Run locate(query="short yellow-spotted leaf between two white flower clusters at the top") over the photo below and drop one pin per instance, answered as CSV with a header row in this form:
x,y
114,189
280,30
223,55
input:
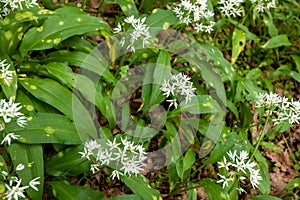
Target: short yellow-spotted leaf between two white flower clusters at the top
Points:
x,y
161,19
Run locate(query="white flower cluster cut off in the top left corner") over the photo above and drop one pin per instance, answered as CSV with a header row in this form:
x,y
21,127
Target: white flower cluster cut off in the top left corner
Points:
x,y
12,5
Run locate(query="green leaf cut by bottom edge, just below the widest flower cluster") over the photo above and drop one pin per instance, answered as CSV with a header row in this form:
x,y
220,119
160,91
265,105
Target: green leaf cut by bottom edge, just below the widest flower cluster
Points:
x,y
140,186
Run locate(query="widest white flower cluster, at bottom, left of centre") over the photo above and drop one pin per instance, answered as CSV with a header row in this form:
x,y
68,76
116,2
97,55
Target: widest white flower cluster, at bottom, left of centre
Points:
x,y
125,157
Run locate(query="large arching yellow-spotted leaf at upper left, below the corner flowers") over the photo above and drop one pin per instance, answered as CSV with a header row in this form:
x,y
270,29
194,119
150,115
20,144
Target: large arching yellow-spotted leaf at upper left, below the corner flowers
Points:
x,y
58,28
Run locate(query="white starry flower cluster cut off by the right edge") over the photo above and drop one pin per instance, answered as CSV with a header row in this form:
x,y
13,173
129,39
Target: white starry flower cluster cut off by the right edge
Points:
x,y
280,108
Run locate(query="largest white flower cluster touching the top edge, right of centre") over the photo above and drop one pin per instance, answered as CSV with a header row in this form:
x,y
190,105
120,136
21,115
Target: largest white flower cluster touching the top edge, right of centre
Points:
x,y
197,13
